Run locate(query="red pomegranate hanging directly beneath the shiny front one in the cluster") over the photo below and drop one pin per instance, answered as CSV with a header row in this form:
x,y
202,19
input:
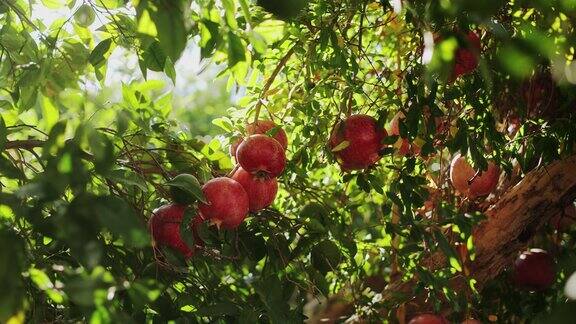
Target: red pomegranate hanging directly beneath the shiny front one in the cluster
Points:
x,y
261,190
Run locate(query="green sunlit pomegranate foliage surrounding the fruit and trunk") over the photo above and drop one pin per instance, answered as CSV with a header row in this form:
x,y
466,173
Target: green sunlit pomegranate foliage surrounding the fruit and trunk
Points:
x,y
80,174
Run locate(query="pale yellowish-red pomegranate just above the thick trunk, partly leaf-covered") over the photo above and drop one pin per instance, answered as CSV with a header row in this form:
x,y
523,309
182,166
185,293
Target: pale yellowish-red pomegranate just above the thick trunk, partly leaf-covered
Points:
x,y
461,172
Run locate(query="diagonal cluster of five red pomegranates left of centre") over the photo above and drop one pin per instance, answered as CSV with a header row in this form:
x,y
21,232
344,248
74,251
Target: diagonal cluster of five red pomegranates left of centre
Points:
x,y
228,200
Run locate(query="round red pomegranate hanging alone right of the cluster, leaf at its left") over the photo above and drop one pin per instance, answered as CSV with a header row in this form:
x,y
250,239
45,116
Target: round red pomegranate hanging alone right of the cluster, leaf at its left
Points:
x,y
364,139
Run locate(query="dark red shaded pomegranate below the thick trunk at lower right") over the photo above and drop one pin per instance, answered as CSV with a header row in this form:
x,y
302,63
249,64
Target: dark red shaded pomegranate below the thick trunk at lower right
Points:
x,y
534,270
